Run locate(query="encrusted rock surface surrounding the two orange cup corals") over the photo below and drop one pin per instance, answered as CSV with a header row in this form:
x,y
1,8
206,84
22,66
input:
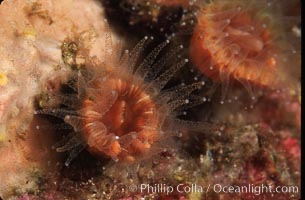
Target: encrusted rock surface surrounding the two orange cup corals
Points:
x,y
42,42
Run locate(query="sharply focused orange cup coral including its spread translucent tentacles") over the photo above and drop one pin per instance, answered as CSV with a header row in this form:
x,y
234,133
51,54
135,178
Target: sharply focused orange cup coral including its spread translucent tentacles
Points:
x,y
116,112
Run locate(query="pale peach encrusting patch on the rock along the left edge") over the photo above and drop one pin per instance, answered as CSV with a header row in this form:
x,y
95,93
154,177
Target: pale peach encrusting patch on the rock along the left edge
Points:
x,y
32,36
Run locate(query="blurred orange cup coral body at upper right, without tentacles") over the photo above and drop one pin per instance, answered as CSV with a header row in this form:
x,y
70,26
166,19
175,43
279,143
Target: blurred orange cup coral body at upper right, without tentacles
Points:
x,y
230,43
